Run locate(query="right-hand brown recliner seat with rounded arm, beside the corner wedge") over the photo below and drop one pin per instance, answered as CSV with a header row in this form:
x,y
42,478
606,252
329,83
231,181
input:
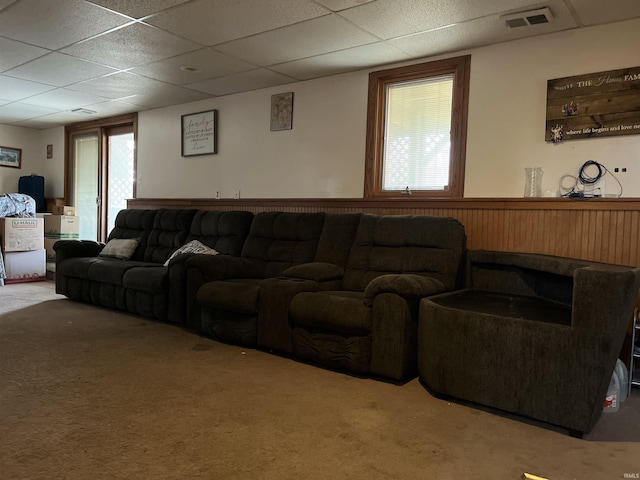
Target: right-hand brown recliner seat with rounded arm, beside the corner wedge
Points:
x,y
369,324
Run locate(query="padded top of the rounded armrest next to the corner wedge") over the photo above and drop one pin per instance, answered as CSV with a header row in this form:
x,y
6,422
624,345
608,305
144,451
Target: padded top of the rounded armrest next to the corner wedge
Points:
x,y
403,284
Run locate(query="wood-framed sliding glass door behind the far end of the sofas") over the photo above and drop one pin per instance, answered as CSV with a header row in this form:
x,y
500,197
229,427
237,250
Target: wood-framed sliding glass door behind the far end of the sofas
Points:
x,y
101,175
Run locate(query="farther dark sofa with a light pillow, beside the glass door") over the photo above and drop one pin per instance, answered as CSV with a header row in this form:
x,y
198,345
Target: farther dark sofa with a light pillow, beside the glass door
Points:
x,y
142,284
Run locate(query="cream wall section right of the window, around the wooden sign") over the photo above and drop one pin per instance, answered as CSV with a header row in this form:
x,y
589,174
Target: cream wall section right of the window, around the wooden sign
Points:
x,y
507,111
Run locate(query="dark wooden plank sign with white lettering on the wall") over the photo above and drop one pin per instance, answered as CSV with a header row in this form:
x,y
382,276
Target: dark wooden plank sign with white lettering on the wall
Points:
x,y
599,104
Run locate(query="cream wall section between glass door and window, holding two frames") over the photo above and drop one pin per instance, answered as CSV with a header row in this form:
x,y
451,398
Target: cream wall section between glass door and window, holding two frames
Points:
x,y
322,156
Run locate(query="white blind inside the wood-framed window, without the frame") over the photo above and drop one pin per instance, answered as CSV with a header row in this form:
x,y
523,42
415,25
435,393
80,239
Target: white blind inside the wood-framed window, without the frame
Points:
x,y
417,139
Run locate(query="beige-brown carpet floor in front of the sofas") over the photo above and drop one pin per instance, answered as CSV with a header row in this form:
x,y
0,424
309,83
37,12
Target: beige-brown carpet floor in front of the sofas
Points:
x,y
87,393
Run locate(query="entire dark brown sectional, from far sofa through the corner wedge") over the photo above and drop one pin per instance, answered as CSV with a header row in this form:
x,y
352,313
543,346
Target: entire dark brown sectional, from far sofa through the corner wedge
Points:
x,y
377,295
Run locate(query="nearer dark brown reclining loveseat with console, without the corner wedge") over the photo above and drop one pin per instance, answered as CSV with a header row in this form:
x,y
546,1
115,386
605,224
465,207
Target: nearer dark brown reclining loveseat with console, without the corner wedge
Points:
x,y
350,302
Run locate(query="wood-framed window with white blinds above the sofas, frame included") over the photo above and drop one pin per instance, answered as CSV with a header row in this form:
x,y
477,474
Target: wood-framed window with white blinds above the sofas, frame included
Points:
x,y
417,130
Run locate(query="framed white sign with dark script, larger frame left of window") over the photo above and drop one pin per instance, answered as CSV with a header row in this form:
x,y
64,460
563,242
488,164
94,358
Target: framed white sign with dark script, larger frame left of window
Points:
x,y
199,133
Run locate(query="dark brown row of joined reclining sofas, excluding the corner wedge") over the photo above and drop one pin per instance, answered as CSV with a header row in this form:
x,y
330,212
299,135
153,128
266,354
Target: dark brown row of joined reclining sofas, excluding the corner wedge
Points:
x,y
355,280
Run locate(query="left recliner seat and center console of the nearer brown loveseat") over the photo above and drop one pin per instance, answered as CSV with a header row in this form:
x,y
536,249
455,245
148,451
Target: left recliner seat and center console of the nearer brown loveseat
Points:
x,y
246,300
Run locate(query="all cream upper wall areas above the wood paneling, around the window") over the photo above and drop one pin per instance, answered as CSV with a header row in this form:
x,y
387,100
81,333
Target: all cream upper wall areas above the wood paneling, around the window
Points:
x,y
323,155
